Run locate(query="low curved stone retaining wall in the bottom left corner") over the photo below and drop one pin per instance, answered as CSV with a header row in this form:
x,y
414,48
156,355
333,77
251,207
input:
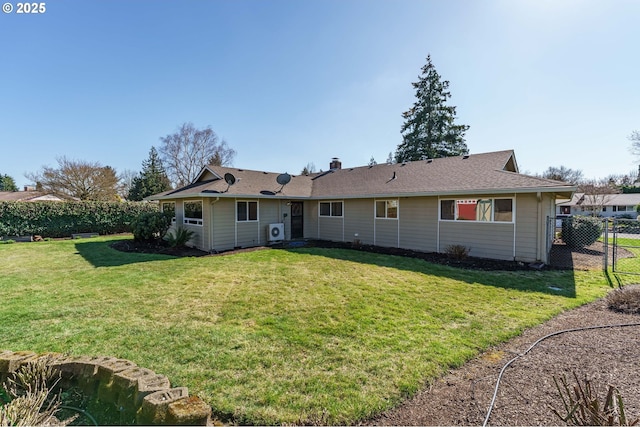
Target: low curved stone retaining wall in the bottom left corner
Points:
x,y
138,391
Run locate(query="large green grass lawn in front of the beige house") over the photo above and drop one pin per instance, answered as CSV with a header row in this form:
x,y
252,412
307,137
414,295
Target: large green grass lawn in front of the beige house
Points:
x,y
308,335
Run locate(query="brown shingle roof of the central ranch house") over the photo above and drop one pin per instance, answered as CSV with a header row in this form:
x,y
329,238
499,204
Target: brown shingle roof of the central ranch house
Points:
x,y
494,172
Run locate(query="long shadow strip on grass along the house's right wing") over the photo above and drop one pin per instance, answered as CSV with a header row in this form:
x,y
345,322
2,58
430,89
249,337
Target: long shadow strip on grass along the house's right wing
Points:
x,y
470,270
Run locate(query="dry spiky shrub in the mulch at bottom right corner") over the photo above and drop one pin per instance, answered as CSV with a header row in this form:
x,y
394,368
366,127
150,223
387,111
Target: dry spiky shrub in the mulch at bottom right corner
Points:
x,y
583,406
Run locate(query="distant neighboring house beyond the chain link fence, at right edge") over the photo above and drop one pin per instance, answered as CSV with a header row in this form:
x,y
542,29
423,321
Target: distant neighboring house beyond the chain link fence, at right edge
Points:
x,y
603,205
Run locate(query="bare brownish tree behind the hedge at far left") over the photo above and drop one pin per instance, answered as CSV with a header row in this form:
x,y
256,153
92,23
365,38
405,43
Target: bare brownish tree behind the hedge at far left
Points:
x,y
78,179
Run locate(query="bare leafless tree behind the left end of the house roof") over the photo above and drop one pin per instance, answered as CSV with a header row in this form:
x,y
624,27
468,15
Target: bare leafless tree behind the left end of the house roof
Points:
x,y
186,151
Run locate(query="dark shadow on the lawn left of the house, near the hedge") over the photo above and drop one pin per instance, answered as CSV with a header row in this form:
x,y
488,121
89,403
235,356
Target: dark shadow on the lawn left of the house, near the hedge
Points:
x,y
101,254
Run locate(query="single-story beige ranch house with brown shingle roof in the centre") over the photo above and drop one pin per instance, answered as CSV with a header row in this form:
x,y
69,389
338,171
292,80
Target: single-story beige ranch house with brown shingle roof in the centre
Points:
x,y
479,201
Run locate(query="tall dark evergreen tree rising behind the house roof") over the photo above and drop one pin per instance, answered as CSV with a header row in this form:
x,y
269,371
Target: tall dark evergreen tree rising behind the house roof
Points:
x,y
429,130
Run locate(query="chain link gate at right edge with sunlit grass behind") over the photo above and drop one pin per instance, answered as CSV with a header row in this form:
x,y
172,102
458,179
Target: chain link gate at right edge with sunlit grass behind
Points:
x,y
626,246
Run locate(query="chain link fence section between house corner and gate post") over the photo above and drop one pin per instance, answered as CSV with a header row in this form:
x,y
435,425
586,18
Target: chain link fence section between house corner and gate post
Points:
x,y
578,242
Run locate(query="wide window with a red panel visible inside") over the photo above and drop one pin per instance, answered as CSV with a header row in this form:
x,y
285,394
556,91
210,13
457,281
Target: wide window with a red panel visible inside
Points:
x,y
482,210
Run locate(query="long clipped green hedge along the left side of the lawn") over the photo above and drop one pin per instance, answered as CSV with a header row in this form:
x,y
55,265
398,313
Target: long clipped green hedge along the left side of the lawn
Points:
x,y
62,219
